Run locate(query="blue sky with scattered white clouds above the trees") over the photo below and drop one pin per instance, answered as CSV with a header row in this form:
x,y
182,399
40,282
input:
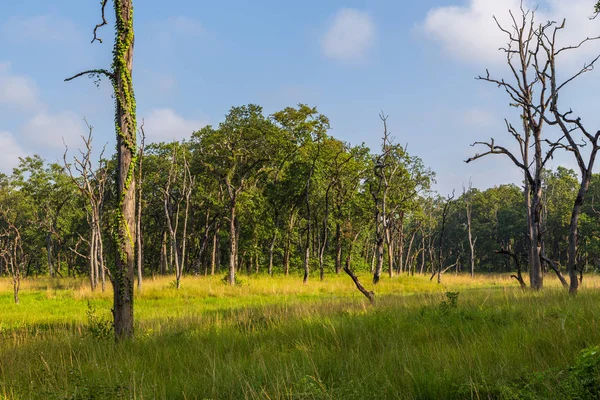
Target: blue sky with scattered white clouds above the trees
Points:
x,y
194,60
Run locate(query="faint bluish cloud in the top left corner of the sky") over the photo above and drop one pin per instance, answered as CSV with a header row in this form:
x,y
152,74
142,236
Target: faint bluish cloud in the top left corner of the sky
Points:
x,y
43,28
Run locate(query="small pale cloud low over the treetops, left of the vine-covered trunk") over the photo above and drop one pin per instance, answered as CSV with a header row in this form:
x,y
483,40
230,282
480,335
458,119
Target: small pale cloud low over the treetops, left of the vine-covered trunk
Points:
x,y
46,131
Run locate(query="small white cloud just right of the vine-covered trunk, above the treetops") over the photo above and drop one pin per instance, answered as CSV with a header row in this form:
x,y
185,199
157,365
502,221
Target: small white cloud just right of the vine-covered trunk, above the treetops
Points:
x,y
165,125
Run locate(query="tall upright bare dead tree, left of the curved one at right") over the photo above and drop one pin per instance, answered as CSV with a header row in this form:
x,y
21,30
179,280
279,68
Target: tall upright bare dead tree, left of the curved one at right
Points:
x,y
528,91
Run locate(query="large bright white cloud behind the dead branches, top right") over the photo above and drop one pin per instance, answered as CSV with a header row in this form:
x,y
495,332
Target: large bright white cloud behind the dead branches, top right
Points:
x,y
469,33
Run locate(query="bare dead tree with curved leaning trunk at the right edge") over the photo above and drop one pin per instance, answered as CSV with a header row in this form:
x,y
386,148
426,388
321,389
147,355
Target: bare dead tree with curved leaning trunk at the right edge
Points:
x,y
582,143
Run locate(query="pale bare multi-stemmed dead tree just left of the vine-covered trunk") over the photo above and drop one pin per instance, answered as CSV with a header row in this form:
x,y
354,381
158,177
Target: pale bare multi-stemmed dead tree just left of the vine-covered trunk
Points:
x,y
91,184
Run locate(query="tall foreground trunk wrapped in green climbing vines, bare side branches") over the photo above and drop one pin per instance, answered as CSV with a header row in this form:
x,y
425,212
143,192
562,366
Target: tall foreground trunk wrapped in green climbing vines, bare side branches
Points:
x,y
120,76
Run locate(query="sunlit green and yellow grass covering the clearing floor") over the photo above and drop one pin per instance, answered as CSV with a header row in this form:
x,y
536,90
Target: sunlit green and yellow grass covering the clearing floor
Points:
x,y
274,338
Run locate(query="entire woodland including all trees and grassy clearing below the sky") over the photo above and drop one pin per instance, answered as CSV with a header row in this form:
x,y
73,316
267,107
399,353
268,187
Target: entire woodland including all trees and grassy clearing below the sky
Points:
x,y
270,259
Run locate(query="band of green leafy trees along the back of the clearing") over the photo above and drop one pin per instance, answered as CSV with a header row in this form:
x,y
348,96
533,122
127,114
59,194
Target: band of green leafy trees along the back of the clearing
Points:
x,y
276,195
